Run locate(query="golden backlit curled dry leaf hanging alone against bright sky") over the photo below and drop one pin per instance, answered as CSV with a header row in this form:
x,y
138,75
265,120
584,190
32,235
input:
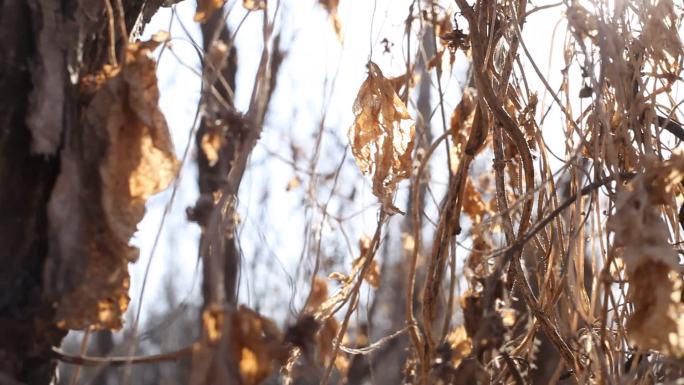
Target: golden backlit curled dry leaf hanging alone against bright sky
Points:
x,y
382,136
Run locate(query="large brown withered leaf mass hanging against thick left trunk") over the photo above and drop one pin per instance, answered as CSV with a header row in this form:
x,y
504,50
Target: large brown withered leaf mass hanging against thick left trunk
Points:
x,y
100,194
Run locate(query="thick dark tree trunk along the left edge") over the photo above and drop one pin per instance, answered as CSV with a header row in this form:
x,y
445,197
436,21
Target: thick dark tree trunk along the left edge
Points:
x,y
46,47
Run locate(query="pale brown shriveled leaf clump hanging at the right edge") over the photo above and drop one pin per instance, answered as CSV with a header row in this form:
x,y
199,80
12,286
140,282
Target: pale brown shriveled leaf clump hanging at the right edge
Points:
x,y
650,262
